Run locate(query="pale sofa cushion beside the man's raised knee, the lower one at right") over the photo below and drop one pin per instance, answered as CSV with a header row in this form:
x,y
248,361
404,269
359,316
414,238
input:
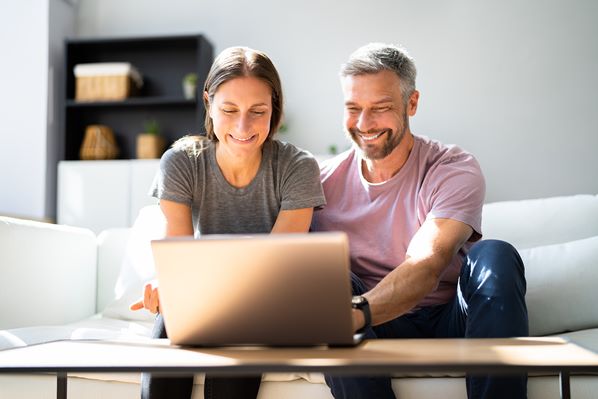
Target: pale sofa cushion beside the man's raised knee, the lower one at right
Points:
x,y
561,286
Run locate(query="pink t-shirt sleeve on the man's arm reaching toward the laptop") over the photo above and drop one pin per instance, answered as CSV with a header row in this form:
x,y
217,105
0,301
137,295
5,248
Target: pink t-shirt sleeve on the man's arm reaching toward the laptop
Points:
x,y
455,189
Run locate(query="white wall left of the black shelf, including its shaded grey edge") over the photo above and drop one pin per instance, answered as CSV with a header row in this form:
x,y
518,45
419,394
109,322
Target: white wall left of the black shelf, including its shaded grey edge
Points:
x,y
31,44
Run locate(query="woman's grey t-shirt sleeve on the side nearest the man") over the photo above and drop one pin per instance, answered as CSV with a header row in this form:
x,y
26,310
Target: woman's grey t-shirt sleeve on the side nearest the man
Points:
x,y
300,182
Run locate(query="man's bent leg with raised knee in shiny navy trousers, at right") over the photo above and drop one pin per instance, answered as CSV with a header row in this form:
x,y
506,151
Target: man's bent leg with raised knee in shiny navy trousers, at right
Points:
x,y
490,303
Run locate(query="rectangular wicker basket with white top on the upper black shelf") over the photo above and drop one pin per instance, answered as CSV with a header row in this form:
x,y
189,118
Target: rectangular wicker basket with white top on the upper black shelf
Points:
x,y
106,81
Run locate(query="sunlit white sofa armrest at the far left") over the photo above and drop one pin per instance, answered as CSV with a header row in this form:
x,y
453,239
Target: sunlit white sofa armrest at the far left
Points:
x,y
47,273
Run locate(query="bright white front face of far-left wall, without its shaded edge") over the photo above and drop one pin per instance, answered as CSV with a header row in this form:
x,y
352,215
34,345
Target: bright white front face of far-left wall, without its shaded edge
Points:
x,y
23,75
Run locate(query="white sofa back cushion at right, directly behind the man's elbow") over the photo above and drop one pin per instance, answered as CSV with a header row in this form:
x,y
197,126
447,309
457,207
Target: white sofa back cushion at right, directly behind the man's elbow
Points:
x,y
544,221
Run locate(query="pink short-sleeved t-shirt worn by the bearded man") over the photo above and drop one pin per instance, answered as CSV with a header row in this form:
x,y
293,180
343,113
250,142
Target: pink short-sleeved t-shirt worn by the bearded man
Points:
x,y
437,181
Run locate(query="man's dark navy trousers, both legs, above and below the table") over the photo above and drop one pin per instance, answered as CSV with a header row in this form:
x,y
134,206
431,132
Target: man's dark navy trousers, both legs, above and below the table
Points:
x,y
489,303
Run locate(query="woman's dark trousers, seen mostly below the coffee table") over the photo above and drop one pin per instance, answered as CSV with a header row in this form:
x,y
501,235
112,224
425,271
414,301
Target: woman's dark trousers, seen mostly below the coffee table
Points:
x,y
153,387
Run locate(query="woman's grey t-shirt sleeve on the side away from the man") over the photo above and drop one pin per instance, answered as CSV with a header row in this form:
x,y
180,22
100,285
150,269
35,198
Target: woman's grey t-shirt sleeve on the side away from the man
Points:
x,y
174,179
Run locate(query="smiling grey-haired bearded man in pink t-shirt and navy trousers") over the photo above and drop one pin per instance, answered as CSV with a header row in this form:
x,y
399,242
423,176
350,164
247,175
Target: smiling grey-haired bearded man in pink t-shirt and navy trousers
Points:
x,y
412,209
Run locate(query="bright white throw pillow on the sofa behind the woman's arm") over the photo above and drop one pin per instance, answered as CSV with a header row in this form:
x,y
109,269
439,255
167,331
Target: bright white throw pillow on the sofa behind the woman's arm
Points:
x,y
137,266
